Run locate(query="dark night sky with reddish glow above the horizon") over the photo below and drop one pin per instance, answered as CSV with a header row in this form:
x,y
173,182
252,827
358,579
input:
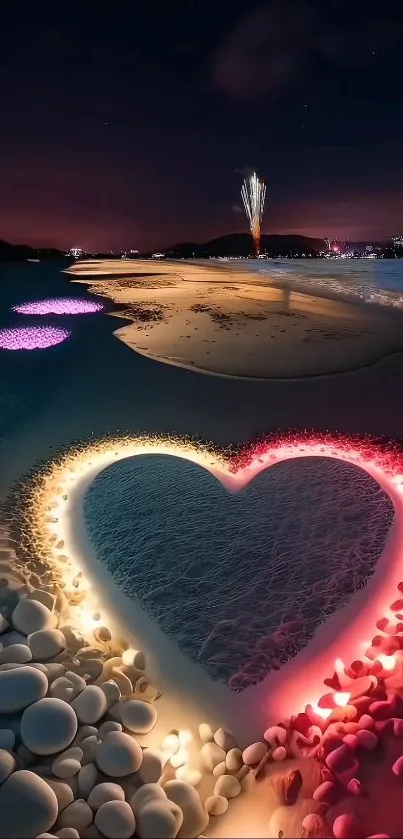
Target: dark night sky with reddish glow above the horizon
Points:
x,y
129,125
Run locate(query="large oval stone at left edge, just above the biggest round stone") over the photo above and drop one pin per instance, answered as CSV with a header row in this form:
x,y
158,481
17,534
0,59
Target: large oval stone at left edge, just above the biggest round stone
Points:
x,y
20,688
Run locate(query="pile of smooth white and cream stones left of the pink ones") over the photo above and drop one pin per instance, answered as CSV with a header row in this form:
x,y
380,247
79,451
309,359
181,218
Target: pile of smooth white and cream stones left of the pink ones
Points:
x,y
71,714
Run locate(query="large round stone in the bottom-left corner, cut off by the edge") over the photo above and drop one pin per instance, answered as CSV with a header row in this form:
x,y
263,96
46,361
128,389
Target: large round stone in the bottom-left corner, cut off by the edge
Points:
x,y
28,806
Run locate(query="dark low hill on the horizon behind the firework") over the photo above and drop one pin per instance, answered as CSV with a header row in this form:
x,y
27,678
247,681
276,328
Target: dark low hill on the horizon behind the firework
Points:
x,y
240,244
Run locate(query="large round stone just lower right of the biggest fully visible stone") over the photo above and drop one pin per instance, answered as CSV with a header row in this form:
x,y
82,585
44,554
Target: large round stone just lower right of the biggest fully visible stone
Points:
x,y
118,755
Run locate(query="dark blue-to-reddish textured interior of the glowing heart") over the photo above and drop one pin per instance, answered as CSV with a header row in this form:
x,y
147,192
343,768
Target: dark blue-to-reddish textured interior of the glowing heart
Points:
x,y
241,577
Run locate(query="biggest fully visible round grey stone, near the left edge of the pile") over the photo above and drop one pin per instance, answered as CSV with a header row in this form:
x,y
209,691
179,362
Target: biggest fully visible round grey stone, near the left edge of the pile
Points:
x,y
48,726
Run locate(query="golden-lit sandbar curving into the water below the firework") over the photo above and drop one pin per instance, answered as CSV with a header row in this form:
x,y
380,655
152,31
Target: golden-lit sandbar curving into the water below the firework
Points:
x,y
231,323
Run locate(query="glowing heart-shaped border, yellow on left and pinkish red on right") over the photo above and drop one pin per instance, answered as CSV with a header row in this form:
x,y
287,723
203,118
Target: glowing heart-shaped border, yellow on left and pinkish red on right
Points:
x,y
345,635
